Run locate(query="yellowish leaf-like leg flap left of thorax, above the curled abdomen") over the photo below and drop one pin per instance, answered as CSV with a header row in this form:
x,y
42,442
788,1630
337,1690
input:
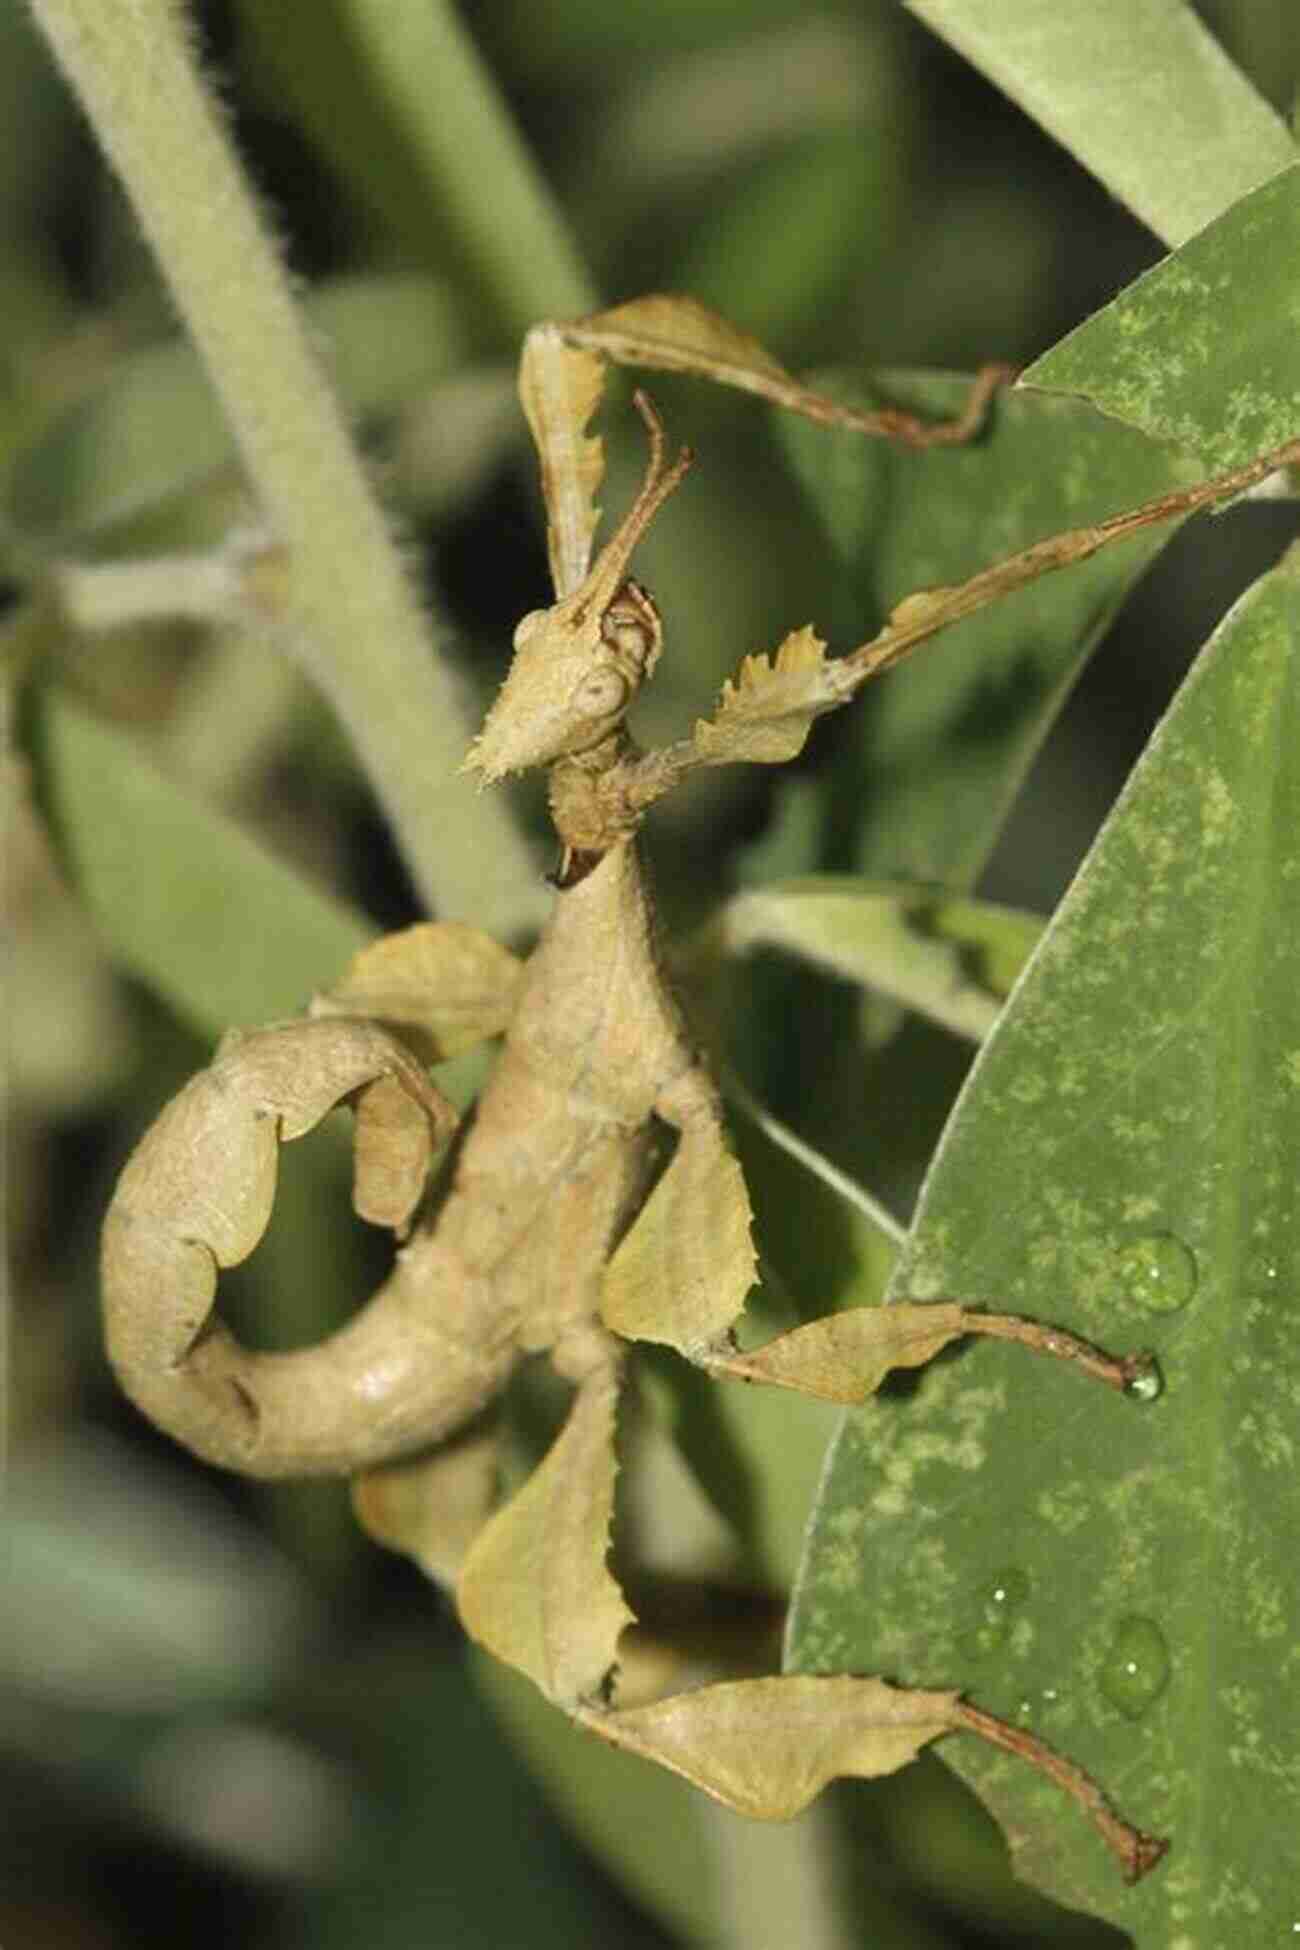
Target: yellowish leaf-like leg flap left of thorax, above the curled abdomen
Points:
x,y
443,986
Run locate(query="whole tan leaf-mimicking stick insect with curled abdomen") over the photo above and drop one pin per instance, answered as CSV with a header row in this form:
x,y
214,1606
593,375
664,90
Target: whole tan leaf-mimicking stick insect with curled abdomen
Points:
x,y
549,1239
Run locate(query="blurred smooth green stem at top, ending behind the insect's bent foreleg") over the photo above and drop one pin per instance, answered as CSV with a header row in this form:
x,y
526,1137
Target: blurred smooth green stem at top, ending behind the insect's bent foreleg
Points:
x,y
445,102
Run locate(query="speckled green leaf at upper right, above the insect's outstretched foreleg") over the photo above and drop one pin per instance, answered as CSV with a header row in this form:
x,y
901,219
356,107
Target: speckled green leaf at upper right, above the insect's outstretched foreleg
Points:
x,y
1204,350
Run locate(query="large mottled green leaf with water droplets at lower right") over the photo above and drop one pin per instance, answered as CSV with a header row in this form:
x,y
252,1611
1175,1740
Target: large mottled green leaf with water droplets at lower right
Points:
x,y
1124,1579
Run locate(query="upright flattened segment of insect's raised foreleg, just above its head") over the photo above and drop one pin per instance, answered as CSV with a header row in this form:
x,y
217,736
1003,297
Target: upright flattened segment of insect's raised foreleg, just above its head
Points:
x,y
560,389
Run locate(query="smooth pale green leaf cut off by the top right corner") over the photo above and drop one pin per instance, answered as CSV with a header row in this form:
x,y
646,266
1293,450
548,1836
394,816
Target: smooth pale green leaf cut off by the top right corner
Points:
x,y
1139,91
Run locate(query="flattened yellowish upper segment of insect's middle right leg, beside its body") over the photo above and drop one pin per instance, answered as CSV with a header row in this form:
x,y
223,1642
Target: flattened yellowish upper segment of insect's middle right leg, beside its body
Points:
x,y
687,1265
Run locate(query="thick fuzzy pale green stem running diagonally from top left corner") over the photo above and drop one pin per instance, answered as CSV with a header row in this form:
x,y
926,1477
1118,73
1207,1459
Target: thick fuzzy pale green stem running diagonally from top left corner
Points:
x,y
350,609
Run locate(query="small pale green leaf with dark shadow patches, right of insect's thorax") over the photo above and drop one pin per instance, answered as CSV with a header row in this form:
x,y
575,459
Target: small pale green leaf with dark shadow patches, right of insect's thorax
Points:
x,y
905,943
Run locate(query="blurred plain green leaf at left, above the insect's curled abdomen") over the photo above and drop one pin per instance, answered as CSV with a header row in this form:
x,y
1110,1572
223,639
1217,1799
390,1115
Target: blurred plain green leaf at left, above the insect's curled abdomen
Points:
x,y
182,896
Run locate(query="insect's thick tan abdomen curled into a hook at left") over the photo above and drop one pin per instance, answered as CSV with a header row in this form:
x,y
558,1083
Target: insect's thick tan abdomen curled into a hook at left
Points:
x,y
198,1194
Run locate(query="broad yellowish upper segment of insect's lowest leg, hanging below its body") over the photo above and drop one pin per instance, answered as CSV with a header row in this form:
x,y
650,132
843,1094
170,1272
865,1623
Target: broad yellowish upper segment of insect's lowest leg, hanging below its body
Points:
x,y
535,1588
